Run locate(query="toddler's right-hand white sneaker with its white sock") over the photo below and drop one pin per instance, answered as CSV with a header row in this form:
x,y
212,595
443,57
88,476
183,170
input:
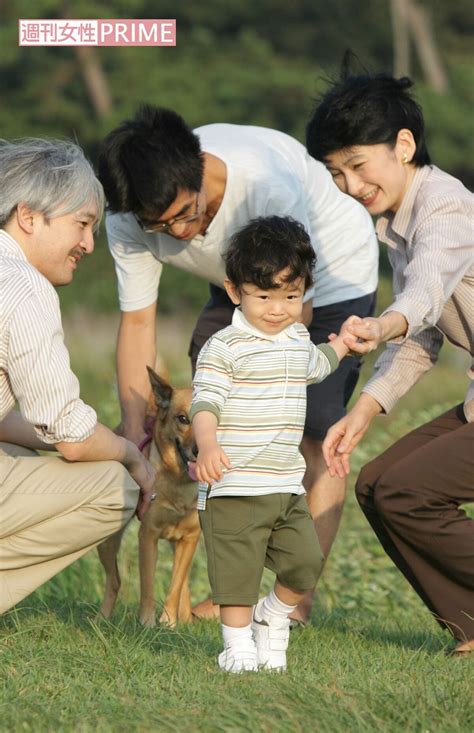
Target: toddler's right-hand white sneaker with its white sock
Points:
x,y
271,639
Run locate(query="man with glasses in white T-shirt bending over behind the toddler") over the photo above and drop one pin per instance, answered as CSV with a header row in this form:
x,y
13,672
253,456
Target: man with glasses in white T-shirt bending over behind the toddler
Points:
x,y
177,196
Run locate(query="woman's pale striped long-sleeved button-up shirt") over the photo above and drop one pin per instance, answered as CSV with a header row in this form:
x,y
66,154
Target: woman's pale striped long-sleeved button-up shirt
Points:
x,y
431,250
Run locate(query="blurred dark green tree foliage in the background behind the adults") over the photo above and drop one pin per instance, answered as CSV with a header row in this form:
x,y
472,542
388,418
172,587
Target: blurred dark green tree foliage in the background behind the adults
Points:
x,y
245,62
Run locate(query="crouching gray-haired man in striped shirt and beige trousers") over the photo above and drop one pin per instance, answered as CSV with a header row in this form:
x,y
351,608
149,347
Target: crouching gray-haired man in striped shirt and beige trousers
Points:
x,y
52,509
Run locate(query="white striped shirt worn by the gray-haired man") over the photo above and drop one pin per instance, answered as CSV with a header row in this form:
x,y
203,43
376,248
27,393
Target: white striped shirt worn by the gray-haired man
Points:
x,y
34,362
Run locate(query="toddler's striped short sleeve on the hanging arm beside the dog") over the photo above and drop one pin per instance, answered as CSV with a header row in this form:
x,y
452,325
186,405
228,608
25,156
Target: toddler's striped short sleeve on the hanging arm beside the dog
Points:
x,y
213,379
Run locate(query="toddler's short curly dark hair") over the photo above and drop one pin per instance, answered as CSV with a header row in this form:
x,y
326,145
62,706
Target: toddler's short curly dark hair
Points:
x,y
267,245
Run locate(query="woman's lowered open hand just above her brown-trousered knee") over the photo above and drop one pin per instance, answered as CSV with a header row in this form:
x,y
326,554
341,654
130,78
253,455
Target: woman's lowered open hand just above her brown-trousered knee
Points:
x,y
344,435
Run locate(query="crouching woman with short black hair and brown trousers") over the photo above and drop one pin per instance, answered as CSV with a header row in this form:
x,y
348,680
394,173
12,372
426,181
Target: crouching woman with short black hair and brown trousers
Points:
x,y
370,134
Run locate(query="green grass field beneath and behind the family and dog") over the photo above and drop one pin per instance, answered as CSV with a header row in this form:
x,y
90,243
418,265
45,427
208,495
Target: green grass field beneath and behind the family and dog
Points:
x,y
372,659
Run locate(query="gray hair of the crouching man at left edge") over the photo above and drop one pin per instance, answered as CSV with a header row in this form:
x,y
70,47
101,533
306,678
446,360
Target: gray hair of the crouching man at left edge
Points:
x,y
50,176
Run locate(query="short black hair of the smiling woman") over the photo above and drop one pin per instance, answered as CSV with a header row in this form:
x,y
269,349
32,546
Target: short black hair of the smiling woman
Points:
x,y
366,110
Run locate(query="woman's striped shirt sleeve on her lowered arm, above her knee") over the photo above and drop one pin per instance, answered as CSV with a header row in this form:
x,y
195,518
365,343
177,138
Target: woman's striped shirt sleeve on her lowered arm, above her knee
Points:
x,y
401,365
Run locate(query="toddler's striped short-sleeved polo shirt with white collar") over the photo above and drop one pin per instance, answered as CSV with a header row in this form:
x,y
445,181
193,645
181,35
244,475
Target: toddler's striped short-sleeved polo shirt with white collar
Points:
x,y
255,384
